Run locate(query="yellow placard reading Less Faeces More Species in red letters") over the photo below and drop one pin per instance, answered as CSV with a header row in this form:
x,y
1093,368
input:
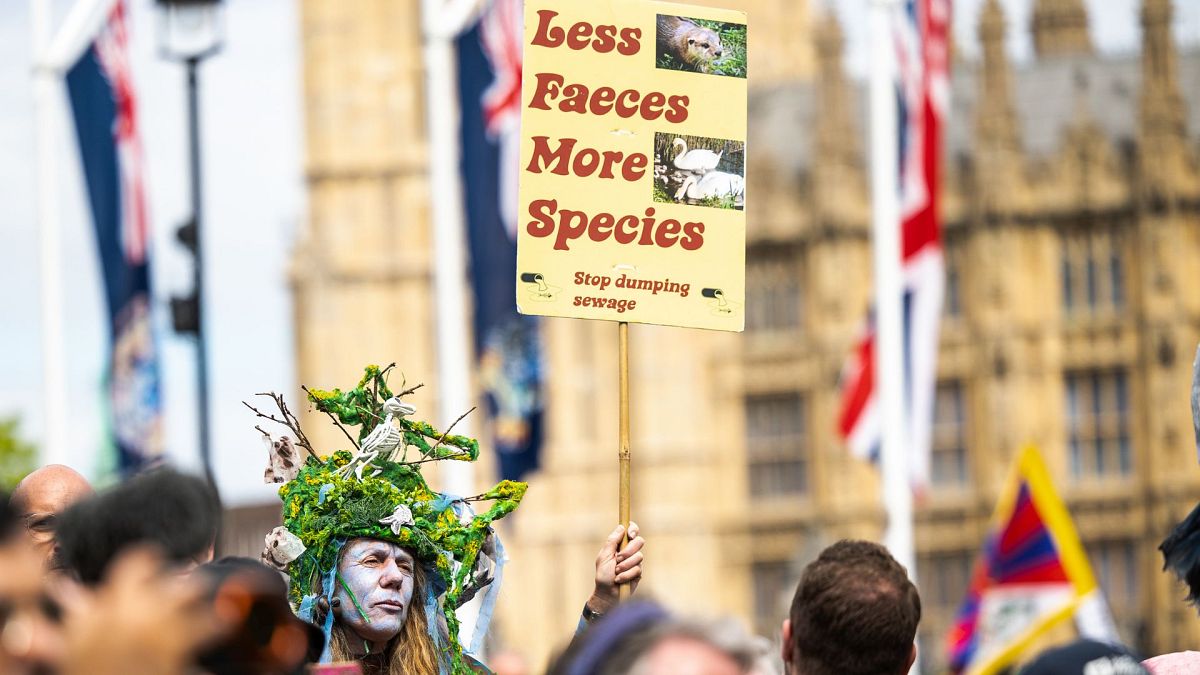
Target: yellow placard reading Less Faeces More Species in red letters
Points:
x,y
633,164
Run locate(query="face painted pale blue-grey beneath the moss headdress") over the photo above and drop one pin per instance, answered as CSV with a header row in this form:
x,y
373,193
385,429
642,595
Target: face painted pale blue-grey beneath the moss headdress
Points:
x,y
380,576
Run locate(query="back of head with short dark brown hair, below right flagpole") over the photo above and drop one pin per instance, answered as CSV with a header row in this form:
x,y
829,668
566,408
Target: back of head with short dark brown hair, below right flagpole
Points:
x,y
855,613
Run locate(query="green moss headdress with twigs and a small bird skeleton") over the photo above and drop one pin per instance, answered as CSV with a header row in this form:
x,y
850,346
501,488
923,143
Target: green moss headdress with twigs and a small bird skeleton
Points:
x,y
377,492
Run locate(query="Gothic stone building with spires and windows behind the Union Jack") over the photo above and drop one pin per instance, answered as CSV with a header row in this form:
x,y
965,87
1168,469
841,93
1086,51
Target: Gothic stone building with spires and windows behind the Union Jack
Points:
x,y
1072,229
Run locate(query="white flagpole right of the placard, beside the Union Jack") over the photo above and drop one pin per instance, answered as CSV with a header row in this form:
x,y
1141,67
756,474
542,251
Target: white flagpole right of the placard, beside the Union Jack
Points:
x,y
889,289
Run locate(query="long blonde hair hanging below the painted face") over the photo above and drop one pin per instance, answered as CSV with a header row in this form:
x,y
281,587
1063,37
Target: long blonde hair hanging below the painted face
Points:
x,y
411,653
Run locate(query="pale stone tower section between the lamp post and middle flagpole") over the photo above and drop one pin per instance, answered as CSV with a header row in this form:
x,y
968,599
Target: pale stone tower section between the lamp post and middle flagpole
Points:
x,y
362,268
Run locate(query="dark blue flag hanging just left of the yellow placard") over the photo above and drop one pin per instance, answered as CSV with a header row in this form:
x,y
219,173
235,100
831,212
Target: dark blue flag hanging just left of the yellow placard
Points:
x,y
511,366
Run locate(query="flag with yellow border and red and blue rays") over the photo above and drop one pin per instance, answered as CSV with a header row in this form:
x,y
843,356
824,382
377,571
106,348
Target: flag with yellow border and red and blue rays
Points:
x,y
1031,577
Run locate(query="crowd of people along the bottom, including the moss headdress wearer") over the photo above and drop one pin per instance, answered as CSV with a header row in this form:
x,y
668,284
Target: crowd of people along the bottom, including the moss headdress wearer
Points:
x,y
370,565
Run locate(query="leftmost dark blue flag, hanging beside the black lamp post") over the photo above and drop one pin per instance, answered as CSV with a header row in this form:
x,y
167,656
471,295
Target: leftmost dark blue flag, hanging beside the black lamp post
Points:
x,y
104,101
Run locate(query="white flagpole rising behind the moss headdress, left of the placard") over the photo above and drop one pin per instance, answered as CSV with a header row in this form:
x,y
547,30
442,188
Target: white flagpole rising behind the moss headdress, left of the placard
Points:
x,y
441,23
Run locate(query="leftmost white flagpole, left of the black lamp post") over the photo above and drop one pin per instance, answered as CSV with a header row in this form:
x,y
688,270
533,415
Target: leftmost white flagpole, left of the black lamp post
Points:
x,y
55,379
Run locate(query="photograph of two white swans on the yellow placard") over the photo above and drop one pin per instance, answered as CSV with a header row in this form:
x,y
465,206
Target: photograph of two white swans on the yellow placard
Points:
x,y
699,171
